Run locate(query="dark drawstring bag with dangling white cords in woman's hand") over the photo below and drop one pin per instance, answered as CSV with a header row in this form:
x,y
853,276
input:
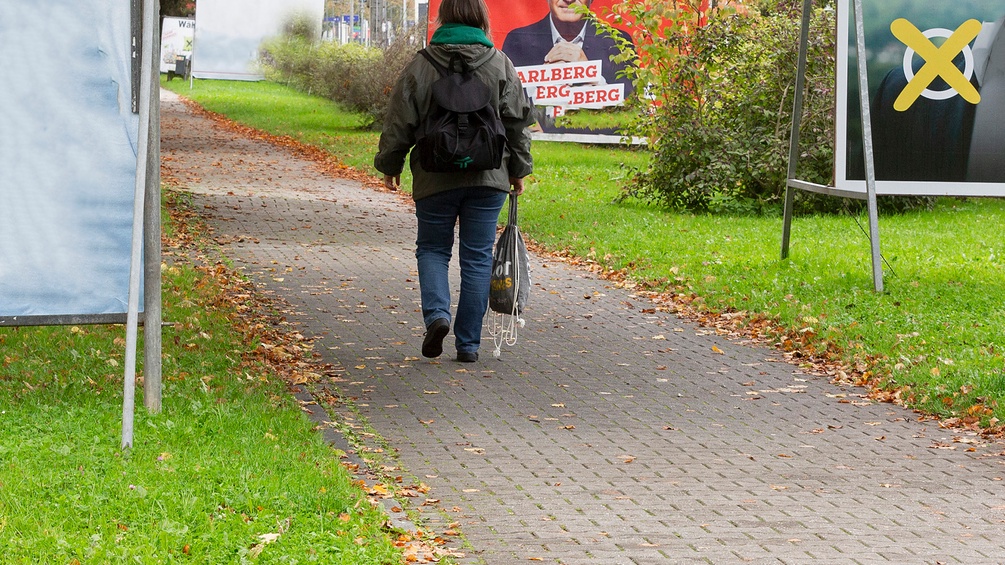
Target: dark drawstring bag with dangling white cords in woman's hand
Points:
x,y
511,283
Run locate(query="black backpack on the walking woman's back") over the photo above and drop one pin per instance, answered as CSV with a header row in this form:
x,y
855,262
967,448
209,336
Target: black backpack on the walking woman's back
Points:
x,y
463,132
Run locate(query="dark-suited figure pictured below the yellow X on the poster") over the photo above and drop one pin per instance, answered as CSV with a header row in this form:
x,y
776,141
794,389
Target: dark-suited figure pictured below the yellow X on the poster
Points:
x,y
946,138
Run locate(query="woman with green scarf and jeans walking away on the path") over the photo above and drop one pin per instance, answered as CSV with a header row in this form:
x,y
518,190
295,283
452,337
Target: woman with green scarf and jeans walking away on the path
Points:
x,y
470,201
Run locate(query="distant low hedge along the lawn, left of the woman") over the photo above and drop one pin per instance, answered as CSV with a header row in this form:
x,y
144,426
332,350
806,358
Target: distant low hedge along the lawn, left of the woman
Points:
x,y
354,76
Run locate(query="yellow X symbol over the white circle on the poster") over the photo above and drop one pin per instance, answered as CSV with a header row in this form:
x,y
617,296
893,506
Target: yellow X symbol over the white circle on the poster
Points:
x,y
938,62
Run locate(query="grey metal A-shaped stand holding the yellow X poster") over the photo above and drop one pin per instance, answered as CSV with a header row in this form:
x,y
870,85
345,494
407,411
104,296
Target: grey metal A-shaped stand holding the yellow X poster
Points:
x,y
871,180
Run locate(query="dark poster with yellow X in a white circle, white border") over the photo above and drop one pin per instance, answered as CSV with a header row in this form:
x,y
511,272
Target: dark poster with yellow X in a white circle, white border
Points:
x,y
937,97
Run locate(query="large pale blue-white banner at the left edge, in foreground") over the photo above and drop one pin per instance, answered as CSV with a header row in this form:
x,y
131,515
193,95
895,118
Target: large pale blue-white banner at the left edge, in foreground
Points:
x,y
68,157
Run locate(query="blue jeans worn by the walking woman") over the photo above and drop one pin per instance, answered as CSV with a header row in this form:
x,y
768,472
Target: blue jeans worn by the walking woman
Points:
x,y
477,210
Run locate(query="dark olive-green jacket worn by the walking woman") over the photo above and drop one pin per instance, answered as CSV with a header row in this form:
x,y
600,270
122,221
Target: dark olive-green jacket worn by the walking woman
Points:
x,y
411,101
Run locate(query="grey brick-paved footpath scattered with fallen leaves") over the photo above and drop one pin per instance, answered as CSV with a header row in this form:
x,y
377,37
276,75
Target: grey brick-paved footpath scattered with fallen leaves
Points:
x,y
610,435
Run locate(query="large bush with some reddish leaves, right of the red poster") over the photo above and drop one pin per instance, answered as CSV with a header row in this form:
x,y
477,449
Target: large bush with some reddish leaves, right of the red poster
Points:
x,y
719,105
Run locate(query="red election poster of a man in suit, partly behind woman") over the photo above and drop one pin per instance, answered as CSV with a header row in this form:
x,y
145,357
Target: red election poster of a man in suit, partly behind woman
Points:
x,y
563,61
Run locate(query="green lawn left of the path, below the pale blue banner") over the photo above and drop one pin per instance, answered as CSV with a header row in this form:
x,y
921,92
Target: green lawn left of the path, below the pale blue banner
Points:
x,y
232,471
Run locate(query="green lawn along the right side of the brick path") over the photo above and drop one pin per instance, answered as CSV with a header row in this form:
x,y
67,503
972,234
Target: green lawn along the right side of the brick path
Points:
x,y
935,336
